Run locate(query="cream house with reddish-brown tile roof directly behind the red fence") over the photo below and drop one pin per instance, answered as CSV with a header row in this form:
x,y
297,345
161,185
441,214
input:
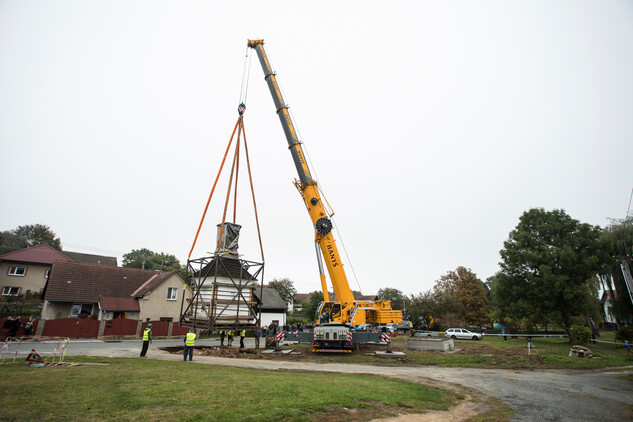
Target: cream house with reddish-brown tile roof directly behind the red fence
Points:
x,y
81,290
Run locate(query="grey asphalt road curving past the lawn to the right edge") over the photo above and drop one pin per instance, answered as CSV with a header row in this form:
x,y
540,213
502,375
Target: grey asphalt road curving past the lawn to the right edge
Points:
x,y
552,395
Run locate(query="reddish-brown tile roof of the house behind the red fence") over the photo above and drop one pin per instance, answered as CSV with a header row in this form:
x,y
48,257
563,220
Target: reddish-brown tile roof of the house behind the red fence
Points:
x,y
79,282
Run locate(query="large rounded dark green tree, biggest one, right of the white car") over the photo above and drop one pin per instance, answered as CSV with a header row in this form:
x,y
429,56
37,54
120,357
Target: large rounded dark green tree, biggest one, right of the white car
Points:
x,y
545,265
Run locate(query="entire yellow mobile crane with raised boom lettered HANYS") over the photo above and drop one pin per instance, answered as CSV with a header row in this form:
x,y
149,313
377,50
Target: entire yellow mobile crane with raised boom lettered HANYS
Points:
x,y
335,319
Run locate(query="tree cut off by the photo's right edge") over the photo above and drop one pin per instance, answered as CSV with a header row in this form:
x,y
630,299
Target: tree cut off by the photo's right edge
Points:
x,y
618,237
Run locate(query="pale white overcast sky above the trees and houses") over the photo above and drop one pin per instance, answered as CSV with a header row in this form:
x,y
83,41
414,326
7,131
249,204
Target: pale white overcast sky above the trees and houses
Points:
x,y
432,126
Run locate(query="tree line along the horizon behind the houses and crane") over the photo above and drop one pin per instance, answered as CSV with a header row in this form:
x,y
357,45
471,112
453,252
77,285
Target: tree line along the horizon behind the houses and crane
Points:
x,y
551,269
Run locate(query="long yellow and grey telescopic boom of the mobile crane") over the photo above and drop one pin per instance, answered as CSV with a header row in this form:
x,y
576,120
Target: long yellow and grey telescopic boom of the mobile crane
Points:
x,y
308,185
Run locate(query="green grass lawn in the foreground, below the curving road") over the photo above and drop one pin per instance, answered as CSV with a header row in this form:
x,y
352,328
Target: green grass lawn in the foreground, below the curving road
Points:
x,y
153,390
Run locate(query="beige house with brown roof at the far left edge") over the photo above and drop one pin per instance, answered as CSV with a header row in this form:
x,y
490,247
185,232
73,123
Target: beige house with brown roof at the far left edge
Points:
x,y
26,270
